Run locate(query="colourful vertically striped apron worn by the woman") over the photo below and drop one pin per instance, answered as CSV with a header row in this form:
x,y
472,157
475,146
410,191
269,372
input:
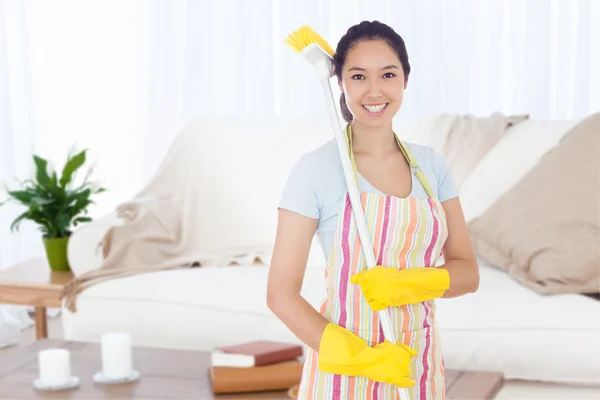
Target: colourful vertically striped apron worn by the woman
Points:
x,y
405,233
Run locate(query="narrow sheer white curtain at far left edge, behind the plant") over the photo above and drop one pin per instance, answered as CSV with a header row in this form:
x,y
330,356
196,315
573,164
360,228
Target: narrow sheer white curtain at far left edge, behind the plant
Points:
x,y
16,144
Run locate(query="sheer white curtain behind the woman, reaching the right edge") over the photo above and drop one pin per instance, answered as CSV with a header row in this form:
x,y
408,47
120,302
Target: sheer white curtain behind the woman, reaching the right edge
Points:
x,y
467,56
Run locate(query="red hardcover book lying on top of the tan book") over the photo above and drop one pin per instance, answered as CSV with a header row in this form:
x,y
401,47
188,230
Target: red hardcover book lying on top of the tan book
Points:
x,y
257,353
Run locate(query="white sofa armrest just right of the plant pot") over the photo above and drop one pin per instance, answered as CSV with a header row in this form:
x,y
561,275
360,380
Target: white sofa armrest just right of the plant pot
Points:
x,y
83,249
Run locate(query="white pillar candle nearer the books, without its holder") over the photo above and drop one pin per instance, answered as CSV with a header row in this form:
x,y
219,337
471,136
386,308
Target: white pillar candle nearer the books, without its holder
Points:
x,y
116,356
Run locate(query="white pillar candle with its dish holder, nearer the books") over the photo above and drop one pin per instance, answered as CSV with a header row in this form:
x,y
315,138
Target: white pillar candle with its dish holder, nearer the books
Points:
x,y
117,360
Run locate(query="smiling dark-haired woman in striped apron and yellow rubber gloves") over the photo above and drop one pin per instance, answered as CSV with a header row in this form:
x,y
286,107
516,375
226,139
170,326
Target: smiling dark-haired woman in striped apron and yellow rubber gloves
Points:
x,y
414,217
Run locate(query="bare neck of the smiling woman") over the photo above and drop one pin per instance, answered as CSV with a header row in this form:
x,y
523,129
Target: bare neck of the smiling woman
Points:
x,y
373,140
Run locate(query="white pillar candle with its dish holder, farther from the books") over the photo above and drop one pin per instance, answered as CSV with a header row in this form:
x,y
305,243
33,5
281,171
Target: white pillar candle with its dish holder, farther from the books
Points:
x,y
55,371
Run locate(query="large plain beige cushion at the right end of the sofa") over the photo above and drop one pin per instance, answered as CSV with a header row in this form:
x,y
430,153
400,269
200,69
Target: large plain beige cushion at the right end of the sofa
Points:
x,y
545,230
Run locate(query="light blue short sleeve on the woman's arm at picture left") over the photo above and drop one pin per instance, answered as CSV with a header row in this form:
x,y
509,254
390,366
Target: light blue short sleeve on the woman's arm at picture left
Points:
x,y
301,192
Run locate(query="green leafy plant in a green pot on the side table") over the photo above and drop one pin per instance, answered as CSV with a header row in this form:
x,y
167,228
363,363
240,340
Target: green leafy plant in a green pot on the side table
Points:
x,y
56,204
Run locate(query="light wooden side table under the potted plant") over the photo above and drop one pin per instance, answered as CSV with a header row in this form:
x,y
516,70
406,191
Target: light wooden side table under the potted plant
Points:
x,y
33,283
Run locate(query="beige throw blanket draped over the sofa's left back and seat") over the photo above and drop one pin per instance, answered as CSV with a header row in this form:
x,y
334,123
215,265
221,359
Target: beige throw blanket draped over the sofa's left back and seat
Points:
x,y
163,227
